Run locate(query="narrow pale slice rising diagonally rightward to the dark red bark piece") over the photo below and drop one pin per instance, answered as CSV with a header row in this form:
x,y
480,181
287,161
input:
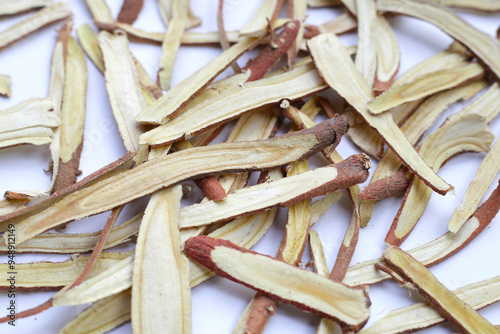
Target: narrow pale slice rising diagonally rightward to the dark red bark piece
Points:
x,y
170,104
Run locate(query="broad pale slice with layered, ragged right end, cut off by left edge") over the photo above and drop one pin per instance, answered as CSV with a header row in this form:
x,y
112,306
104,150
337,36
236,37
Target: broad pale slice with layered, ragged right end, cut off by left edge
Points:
x,y
29,122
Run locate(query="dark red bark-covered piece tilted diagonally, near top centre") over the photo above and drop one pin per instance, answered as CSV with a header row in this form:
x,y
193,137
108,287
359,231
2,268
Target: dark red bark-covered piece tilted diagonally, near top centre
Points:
x,y
273,52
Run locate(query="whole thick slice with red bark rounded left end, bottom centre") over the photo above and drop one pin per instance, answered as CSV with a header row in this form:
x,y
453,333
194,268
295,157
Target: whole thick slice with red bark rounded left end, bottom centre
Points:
x,y
312,293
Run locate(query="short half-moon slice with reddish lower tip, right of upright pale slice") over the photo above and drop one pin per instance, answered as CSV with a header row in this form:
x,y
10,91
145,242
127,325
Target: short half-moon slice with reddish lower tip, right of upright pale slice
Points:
x,y
388,55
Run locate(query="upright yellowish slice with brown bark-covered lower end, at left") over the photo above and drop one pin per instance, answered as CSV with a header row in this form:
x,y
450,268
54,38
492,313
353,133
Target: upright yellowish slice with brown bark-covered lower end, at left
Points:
x,y
73,109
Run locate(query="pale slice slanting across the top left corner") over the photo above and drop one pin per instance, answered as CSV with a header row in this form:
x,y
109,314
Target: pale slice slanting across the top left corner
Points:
x,y
40,19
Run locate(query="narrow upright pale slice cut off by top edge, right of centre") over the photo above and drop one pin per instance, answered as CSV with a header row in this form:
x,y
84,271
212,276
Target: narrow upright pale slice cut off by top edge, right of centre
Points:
x,y
366,57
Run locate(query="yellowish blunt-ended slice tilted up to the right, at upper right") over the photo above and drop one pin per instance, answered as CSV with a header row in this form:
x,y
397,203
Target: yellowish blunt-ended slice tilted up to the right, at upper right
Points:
x,y
424,86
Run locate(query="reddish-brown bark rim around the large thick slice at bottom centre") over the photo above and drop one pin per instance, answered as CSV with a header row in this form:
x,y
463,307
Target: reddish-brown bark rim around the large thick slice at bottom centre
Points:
x,y
199,248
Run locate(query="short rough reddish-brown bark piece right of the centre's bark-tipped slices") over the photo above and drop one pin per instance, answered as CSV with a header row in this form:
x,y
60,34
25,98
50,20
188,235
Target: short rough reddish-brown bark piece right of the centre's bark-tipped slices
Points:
x,y
393,185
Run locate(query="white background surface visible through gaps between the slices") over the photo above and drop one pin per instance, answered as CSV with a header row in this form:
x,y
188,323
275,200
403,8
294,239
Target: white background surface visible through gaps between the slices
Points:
x,y
218,303
